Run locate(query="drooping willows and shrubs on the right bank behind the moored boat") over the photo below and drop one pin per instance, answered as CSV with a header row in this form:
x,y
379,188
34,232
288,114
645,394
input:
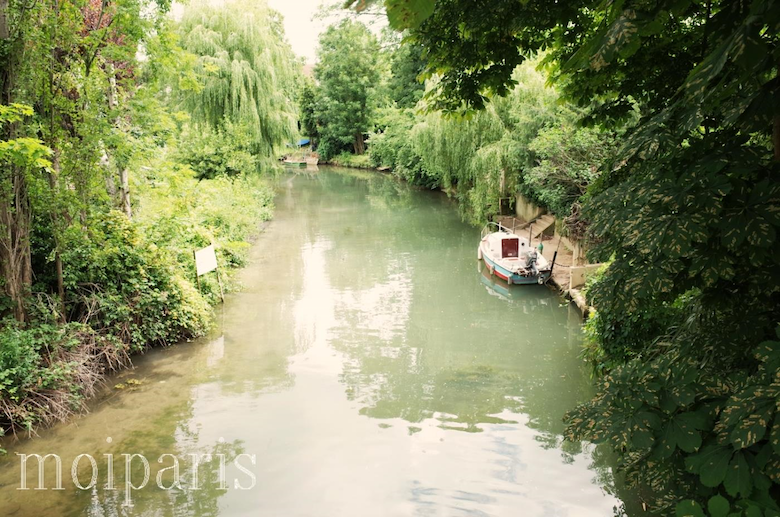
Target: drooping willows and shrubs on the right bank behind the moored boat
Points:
x,y
526,142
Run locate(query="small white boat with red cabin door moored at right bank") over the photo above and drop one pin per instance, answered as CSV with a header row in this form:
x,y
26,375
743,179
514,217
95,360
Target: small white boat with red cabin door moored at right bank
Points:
x,y
510,256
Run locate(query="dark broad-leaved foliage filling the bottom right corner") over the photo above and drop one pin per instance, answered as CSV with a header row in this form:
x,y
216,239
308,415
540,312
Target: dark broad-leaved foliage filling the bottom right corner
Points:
x,y
686,429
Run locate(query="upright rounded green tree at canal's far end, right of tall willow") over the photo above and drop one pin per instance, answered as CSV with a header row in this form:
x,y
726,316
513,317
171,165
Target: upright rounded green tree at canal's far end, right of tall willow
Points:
x,y
347,72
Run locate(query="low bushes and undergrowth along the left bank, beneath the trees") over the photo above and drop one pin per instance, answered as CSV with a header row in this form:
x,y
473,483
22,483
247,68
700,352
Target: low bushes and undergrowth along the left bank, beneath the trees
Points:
x,y
142,292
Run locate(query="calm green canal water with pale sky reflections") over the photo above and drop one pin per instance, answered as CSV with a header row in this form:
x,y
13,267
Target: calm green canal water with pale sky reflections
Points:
x,y
367,368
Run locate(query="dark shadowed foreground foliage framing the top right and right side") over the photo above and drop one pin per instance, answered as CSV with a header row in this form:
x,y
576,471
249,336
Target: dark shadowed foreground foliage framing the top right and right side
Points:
x,y
687,212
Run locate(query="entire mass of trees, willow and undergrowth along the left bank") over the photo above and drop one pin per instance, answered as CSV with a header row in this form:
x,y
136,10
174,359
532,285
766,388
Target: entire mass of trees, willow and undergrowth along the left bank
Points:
x,y
92,275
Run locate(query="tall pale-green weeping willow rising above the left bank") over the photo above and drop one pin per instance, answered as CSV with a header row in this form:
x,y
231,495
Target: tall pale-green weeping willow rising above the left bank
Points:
x,y
246,71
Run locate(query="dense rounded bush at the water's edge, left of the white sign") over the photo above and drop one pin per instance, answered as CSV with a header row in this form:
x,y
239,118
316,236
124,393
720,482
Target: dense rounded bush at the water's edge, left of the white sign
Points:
x,y
129,287
